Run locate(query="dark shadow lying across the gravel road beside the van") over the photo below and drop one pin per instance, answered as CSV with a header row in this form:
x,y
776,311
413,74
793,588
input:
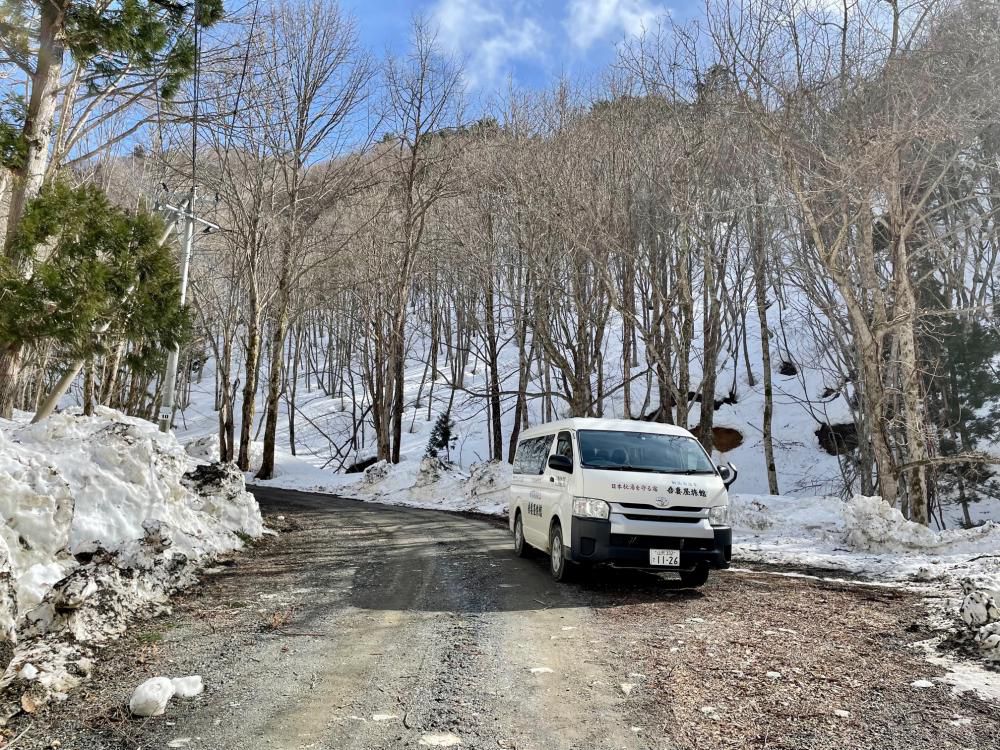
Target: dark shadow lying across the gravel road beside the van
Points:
x,y
406,559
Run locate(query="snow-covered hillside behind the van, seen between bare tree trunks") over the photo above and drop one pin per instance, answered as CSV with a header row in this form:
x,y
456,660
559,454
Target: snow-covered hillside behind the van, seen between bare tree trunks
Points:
x,y
807,521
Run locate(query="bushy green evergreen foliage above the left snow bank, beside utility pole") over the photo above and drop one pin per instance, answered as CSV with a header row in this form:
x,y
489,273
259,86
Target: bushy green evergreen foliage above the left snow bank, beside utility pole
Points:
x,y
103,269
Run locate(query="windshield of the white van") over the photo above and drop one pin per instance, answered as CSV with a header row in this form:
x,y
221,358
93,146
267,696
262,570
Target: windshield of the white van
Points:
x,y
642,451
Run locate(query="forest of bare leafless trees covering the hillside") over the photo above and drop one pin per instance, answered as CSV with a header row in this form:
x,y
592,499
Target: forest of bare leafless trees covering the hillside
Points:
x,y
836,164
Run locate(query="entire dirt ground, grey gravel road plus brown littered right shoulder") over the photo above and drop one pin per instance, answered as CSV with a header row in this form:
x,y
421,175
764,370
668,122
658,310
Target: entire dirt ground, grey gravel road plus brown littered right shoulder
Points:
x,y
364,626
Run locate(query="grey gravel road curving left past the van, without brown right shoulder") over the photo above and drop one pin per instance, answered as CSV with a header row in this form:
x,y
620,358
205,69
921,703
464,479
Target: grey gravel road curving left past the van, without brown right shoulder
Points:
x,y
369,626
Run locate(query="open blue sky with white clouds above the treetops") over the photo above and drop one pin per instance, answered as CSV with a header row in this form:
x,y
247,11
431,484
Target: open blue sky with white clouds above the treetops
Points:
x,y
534,41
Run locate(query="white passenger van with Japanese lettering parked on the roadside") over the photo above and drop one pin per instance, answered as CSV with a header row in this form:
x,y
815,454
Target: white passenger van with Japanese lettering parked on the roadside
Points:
x,y
633,494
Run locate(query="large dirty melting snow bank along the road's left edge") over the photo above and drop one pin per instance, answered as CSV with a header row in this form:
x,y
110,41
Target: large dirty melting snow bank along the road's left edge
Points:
x,y
100,518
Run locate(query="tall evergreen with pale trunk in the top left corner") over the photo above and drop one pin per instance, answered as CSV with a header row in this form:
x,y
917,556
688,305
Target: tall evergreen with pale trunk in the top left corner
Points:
x,y
124,54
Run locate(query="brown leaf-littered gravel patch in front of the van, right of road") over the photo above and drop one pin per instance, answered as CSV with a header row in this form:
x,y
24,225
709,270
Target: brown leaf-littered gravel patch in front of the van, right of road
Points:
x,y
838,648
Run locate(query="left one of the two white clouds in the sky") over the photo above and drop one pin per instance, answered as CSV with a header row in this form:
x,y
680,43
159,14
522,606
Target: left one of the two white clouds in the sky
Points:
x,y
489,35
